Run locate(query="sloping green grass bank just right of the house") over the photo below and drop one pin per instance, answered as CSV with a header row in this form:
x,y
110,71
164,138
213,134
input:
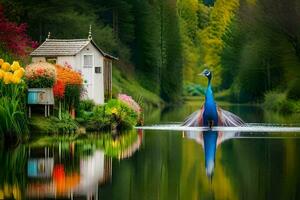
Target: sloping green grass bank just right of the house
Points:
x,y
127,84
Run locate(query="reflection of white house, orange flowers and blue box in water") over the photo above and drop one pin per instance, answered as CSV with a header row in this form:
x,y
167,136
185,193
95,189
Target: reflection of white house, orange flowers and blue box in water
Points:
x,y
50,176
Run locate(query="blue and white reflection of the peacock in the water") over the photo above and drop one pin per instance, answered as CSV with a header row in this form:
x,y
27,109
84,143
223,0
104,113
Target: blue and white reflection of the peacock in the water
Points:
x,y
210,140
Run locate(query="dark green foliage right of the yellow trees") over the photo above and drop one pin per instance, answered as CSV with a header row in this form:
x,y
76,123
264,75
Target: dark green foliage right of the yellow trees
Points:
x,y
261,51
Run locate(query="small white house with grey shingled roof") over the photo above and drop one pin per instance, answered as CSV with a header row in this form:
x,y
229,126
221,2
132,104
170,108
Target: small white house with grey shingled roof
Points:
x,y
84,56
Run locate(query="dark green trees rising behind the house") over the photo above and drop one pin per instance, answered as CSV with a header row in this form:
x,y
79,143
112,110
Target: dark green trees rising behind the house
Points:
x,y
143,34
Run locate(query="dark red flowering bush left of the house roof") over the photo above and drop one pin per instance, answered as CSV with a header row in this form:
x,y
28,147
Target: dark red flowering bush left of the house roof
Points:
x,y
13,37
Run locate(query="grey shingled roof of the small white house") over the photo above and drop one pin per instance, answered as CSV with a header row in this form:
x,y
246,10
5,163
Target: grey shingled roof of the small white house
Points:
x,y
65,47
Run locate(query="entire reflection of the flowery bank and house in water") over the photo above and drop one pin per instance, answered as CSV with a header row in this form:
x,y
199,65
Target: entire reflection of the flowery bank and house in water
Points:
x,y
64,169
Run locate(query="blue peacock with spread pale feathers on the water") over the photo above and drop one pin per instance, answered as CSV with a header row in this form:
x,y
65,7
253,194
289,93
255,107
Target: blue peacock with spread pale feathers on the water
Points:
x,y
210,114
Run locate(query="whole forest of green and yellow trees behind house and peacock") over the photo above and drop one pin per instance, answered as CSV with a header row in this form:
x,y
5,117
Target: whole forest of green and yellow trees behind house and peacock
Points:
x,y
251,46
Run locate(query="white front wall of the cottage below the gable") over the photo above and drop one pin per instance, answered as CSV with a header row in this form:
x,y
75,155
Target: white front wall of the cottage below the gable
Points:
x,y
95,82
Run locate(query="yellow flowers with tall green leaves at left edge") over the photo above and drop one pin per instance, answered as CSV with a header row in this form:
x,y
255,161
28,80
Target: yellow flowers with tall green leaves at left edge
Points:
x,y
12,100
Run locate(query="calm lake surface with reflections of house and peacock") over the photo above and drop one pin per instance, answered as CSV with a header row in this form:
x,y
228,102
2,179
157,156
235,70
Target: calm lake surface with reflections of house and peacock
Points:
x,y
159,164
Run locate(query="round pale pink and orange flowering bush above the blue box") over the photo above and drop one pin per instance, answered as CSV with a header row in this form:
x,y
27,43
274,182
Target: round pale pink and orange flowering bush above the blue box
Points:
x,y
40,75
